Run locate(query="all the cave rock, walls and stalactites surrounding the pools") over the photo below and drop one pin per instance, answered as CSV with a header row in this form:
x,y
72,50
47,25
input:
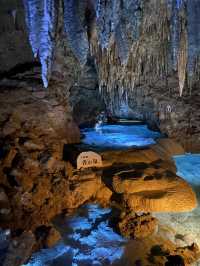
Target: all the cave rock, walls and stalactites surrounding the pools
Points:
x,y
131,58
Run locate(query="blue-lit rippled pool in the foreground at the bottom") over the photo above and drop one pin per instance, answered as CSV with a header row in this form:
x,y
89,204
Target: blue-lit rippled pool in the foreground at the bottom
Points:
x,y
87,240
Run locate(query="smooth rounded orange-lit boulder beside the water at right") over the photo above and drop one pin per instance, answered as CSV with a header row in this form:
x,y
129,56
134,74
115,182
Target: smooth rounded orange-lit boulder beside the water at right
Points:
x,y
154,190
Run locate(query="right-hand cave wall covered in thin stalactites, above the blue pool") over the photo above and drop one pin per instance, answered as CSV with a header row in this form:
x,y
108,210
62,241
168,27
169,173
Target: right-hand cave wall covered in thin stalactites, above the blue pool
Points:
x,y
156,77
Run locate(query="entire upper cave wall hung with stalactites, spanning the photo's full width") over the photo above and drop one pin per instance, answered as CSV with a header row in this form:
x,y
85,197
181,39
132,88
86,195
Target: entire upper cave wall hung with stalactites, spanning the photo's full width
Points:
x,y
143,55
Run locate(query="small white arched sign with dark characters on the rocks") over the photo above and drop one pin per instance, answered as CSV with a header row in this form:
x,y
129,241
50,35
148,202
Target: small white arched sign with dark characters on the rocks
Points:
x,y
89,159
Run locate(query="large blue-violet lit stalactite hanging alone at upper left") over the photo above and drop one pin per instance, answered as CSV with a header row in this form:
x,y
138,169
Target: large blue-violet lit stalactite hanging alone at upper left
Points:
x,y
41,17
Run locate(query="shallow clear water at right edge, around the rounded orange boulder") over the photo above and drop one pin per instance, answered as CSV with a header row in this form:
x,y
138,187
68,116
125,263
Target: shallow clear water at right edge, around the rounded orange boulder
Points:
x,y
188,223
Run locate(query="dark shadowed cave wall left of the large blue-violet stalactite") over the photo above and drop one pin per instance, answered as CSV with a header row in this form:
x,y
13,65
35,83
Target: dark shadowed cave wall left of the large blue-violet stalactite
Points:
x,y
14,46
